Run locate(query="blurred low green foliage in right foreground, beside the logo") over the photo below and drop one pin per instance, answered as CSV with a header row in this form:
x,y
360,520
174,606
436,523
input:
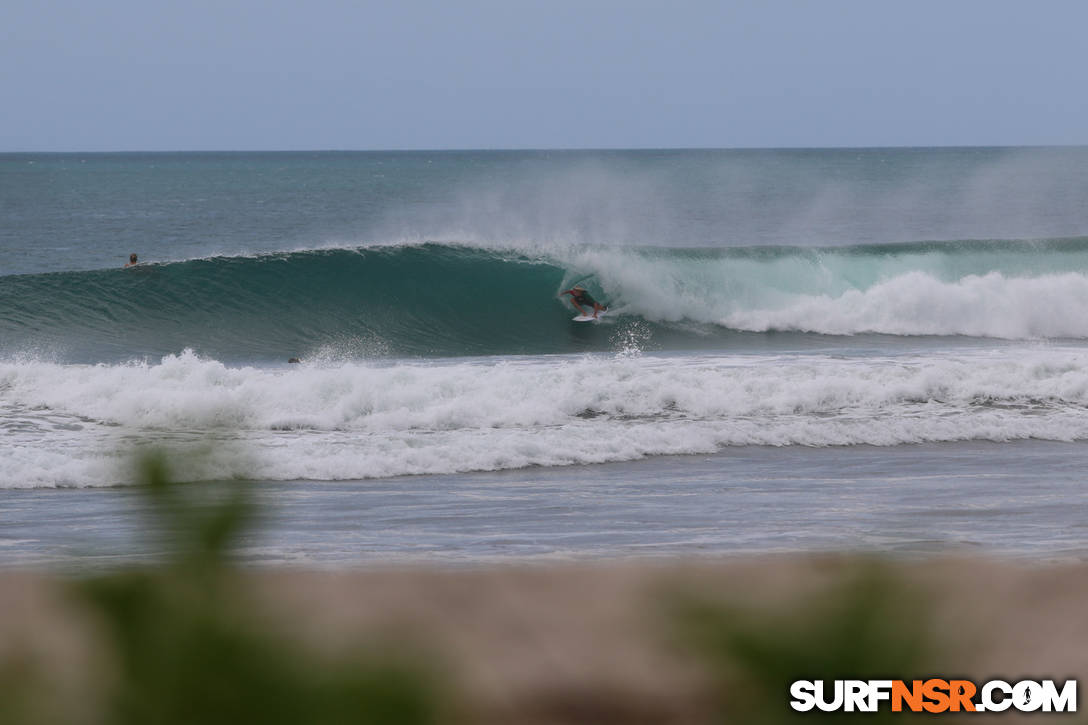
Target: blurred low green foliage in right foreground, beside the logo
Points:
x,y
871,625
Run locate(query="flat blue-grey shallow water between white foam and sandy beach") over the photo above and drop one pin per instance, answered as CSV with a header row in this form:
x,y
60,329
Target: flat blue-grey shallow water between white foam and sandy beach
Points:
x,y
1019,500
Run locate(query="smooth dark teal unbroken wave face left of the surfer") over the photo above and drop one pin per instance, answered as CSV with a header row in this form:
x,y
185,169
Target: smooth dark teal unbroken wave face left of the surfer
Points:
x,y
428,300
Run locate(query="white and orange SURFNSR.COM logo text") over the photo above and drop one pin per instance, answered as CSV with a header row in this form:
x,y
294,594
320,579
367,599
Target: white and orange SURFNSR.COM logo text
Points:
x,y
933,696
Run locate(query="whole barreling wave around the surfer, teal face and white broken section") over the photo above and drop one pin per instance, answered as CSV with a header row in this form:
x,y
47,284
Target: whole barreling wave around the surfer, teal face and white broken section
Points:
x,y
446,300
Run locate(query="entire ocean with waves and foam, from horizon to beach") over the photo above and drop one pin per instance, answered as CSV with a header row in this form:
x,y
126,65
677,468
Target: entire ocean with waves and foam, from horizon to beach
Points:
x,y
806,350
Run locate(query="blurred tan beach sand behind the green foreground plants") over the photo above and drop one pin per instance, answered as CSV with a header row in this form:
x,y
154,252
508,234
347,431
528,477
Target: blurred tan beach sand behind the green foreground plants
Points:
x,y
604,643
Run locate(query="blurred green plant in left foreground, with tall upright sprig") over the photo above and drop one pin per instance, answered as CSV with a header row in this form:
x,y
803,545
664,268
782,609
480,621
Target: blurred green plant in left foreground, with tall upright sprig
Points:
x,y
181,643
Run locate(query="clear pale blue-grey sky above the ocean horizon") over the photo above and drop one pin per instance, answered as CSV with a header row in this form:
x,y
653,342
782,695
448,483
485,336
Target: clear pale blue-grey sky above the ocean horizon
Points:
x,y
419,75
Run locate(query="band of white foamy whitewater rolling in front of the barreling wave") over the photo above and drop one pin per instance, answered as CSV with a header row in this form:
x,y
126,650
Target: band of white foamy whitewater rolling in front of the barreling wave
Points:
x,y
71,425
